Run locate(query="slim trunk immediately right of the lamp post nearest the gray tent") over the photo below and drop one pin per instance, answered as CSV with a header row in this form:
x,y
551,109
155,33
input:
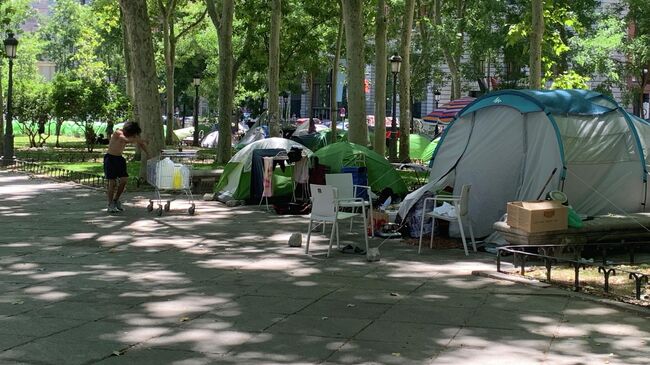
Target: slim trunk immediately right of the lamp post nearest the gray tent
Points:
x,y
405,82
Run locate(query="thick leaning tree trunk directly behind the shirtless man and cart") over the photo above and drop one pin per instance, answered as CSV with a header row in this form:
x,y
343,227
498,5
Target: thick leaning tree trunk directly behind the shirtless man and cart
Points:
x,y
147,100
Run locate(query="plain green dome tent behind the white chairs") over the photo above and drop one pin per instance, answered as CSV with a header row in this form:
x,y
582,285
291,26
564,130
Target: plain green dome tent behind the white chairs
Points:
x,y
381,173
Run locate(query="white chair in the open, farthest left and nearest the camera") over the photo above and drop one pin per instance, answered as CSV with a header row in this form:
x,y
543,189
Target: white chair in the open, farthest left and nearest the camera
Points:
x,y
325,209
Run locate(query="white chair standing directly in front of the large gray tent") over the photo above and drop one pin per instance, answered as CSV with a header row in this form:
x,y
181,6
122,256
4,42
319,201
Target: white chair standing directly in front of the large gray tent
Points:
x,y
460,204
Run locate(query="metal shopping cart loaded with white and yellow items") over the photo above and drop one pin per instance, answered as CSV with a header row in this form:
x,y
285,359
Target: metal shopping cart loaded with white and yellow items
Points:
x,y
168,173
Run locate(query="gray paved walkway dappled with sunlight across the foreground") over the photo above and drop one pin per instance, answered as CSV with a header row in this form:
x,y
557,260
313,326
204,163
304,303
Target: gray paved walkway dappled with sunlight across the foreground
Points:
x,y
78,286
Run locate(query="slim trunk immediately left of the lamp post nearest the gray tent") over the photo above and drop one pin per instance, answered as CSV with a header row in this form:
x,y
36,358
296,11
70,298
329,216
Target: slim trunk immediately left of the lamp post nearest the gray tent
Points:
x,y
380,78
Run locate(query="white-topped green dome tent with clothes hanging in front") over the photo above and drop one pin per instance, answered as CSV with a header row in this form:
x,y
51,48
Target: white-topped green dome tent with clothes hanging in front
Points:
x,y
235,182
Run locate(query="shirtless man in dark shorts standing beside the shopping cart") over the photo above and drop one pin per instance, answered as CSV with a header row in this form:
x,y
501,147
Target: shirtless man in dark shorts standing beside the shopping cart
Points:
x,y
115,164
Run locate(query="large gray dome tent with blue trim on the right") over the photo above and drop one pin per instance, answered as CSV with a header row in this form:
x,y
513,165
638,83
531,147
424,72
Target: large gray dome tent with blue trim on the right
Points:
x,y
508,143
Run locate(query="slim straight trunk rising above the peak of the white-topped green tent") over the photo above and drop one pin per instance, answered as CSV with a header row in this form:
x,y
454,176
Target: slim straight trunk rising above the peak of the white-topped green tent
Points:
x,y
274,68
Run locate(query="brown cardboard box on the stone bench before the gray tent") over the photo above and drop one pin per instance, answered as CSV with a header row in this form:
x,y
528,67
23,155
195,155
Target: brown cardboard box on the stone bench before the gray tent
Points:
x,y
538,216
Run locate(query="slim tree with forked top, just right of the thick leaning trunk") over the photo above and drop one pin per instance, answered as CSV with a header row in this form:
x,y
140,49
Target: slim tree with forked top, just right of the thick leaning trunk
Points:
x,y
169,16
